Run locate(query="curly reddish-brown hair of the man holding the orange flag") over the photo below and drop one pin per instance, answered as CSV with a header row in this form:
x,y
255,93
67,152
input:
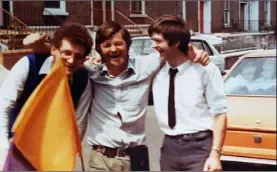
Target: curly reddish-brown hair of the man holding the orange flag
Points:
x,y
75,33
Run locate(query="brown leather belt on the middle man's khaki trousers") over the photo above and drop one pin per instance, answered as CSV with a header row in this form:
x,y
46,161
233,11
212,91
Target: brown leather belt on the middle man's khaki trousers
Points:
x,y
111,152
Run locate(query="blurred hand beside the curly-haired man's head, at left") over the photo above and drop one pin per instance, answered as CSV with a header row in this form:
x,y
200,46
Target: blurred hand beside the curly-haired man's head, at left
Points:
x,y
37,42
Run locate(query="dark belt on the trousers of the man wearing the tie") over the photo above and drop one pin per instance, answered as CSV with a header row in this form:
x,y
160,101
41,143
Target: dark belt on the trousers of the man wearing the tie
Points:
x,y
193,136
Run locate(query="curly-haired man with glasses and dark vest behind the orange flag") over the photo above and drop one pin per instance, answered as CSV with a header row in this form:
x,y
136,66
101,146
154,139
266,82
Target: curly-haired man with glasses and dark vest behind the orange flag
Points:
x,y
72,43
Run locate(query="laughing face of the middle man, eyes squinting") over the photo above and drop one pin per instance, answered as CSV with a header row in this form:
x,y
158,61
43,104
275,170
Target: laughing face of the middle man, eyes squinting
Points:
x,y
114,50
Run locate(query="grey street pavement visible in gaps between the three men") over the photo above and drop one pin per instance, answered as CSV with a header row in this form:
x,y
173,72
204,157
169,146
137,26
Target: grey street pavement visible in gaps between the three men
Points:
x,y
154,138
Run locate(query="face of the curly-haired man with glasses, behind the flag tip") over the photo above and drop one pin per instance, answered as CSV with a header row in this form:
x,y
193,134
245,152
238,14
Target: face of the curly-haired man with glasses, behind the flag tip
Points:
x,y
73,55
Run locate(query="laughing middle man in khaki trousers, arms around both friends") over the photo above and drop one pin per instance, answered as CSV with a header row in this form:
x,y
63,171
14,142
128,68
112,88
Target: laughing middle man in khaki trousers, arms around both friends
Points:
x,y
116,131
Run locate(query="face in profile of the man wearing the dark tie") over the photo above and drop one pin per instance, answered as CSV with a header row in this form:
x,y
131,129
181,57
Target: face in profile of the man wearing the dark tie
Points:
x,y
161,45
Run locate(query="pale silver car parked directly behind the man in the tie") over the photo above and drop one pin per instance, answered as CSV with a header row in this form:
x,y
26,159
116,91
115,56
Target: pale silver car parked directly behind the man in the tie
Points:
x,y
142,45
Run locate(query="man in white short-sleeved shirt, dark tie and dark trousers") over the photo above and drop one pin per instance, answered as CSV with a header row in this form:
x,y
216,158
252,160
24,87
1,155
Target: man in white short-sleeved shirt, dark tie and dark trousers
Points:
x,y
189,101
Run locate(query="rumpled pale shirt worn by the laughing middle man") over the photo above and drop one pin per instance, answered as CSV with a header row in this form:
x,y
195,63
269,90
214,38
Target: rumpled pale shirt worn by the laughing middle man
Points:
x,y
126,94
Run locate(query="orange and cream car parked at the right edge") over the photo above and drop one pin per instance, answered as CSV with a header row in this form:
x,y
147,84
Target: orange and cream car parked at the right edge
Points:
x,y
250,86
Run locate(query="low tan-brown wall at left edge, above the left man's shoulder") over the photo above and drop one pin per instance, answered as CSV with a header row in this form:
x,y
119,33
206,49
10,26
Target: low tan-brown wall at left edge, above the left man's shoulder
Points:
x,y
9,58
